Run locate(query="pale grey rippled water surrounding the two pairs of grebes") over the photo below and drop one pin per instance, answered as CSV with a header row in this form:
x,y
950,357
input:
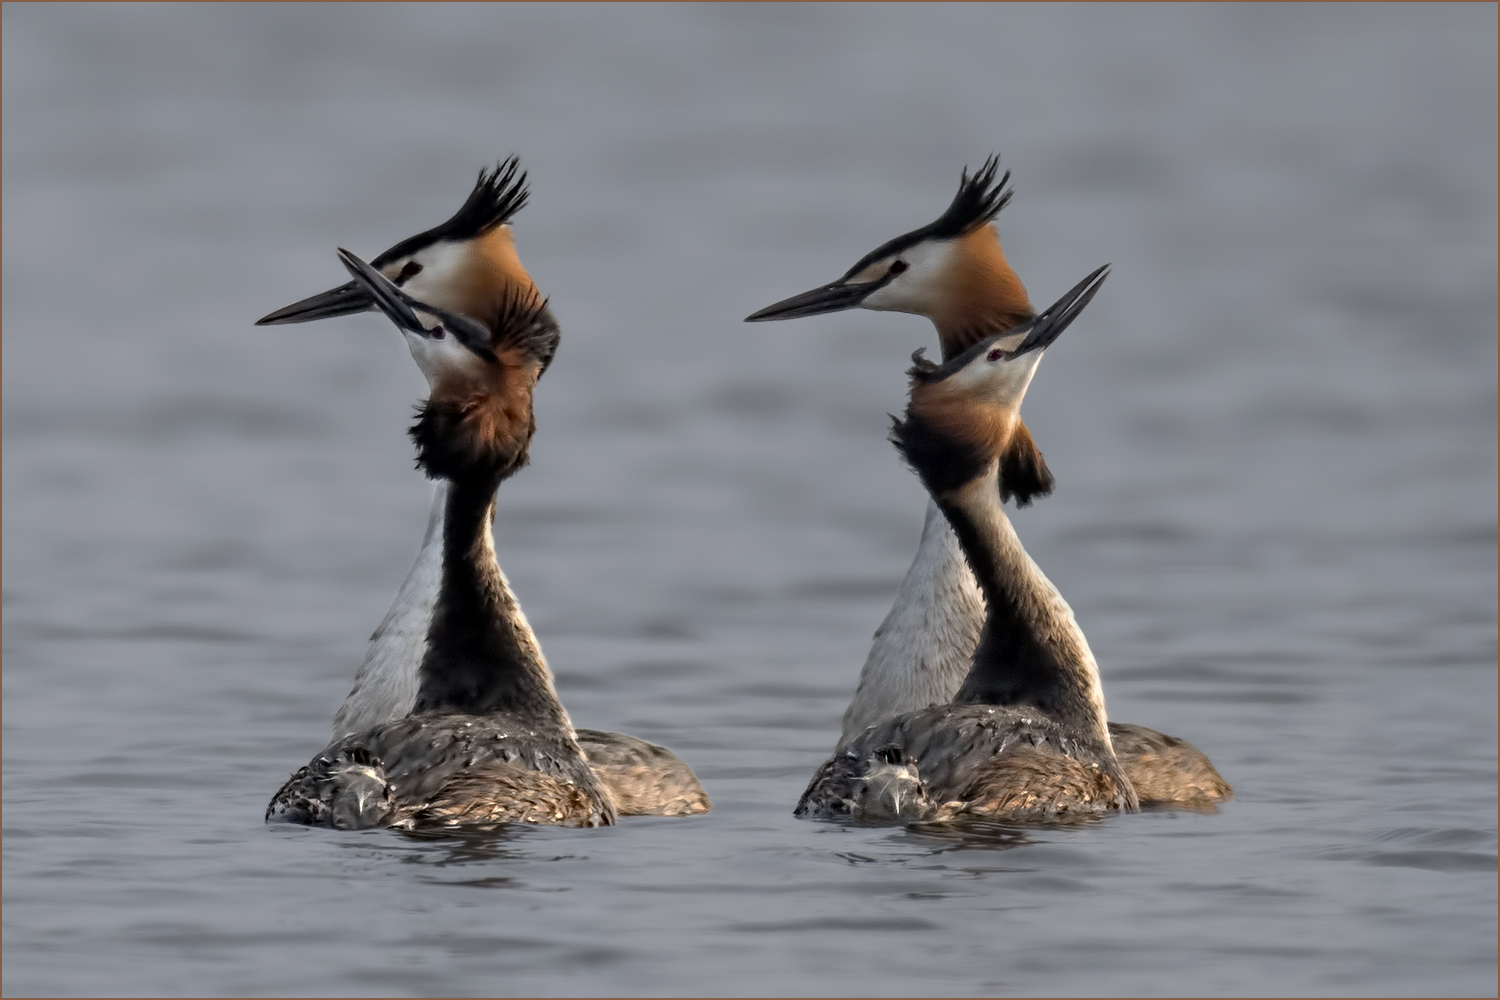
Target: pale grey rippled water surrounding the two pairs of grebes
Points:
x,y
1274,436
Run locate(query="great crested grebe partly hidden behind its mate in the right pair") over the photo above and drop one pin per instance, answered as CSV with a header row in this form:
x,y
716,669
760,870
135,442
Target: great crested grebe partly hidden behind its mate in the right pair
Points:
x,y
955,272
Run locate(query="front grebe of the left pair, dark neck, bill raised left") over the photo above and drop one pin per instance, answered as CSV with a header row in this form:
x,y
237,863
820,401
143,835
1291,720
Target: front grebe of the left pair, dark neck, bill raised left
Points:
x,y
488,741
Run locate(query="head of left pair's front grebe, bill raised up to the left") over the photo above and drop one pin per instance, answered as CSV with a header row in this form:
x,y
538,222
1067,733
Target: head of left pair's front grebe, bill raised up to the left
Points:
x,y
478,419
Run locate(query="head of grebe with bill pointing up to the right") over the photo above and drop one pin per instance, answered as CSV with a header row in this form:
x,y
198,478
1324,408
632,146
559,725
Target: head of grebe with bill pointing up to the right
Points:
x,y
964,416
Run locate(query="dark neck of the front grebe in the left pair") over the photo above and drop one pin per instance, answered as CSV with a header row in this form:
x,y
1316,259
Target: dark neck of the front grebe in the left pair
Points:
x,y
482,656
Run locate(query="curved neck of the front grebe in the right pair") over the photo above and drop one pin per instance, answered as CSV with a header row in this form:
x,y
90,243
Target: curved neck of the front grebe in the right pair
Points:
x,y
1031,650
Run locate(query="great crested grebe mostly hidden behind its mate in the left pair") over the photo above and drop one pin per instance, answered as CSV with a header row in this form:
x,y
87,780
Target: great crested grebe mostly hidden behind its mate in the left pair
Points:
x,y
470,266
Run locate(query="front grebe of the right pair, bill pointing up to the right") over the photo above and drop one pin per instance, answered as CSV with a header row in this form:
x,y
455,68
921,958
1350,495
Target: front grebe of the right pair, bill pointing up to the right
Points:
x,y
1025,738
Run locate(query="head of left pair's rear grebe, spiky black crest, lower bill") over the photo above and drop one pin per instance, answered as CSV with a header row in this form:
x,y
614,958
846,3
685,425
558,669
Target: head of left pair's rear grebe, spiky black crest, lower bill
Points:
x,y
467,266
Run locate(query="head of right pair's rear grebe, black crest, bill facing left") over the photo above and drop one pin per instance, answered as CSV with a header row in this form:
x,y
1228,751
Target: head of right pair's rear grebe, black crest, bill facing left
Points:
x,y
952,271
